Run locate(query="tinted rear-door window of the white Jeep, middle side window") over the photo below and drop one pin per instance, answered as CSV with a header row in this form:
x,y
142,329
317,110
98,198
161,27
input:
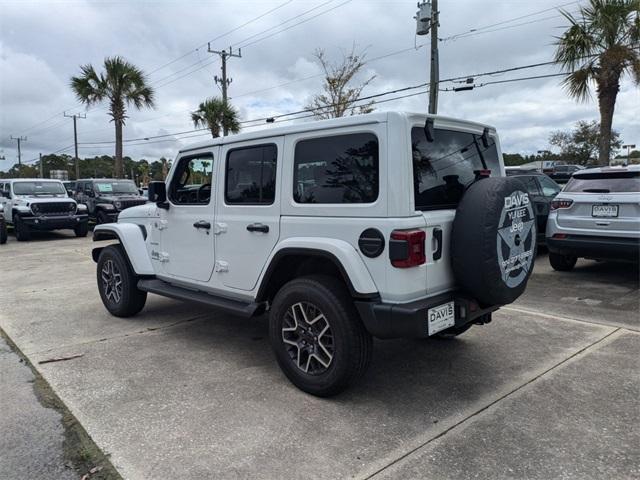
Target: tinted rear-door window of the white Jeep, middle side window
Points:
x,y
250,176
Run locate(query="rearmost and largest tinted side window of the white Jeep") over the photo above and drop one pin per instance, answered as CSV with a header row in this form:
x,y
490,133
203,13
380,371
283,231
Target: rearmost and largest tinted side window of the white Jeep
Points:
x,y
337,169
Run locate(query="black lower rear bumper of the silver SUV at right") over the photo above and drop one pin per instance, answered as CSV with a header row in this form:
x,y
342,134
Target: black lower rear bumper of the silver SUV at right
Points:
x,y
614,248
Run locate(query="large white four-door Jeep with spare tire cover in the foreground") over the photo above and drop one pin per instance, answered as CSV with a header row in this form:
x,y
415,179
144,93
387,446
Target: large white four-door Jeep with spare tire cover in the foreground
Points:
x,y
387,225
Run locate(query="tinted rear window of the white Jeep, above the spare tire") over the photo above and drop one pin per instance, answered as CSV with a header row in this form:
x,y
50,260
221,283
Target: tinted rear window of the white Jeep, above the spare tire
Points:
x,y
442,169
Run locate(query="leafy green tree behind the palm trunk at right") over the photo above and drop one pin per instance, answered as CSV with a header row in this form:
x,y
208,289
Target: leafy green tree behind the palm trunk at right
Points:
x,y
582,144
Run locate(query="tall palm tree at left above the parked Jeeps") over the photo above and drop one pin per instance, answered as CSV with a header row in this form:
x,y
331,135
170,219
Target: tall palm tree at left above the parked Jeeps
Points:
x,y
122,84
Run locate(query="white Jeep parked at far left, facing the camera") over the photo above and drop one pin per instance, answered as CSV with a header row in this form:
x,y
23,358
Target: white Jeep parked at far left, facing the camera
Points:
x,y
40,204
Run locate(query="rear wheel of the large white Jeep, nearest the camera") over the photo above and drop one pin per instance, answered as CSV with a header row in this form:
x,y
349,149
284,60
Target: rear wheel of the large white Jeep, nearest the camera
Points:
x,y
316,333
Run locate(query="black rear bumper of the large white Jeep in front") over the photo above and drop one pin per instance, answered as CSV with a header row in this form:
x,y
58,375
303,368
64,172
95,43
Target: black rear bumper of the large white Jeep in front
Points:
x,y
409,320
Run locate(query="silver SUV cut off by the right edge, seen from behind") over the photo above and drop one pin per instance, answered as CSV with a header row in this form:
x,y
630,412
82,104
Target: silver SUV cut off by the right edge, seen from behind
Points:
x,y
597,215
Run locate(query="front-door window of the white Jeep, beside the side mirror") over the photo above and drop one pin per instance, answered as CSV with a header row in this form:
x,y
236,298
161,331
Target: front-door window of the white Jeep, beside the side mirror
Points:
x,y
191,182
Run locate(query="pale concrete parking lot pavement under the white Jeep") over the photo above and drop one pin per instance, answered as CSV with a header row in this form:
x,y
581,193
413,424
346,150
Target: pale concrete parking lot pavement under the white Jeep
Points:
x,y
549,389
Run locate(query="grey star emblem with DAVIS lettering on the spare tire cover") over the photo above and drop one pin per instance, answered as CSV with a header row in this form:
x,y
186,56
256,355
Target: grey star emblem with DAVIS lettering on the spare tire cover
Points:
x,y
516,238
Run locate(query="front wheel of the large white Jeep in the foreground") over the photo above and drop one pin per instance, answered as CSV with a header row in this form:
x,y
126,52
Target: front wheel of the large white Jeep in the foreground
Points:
x,y
117,283
